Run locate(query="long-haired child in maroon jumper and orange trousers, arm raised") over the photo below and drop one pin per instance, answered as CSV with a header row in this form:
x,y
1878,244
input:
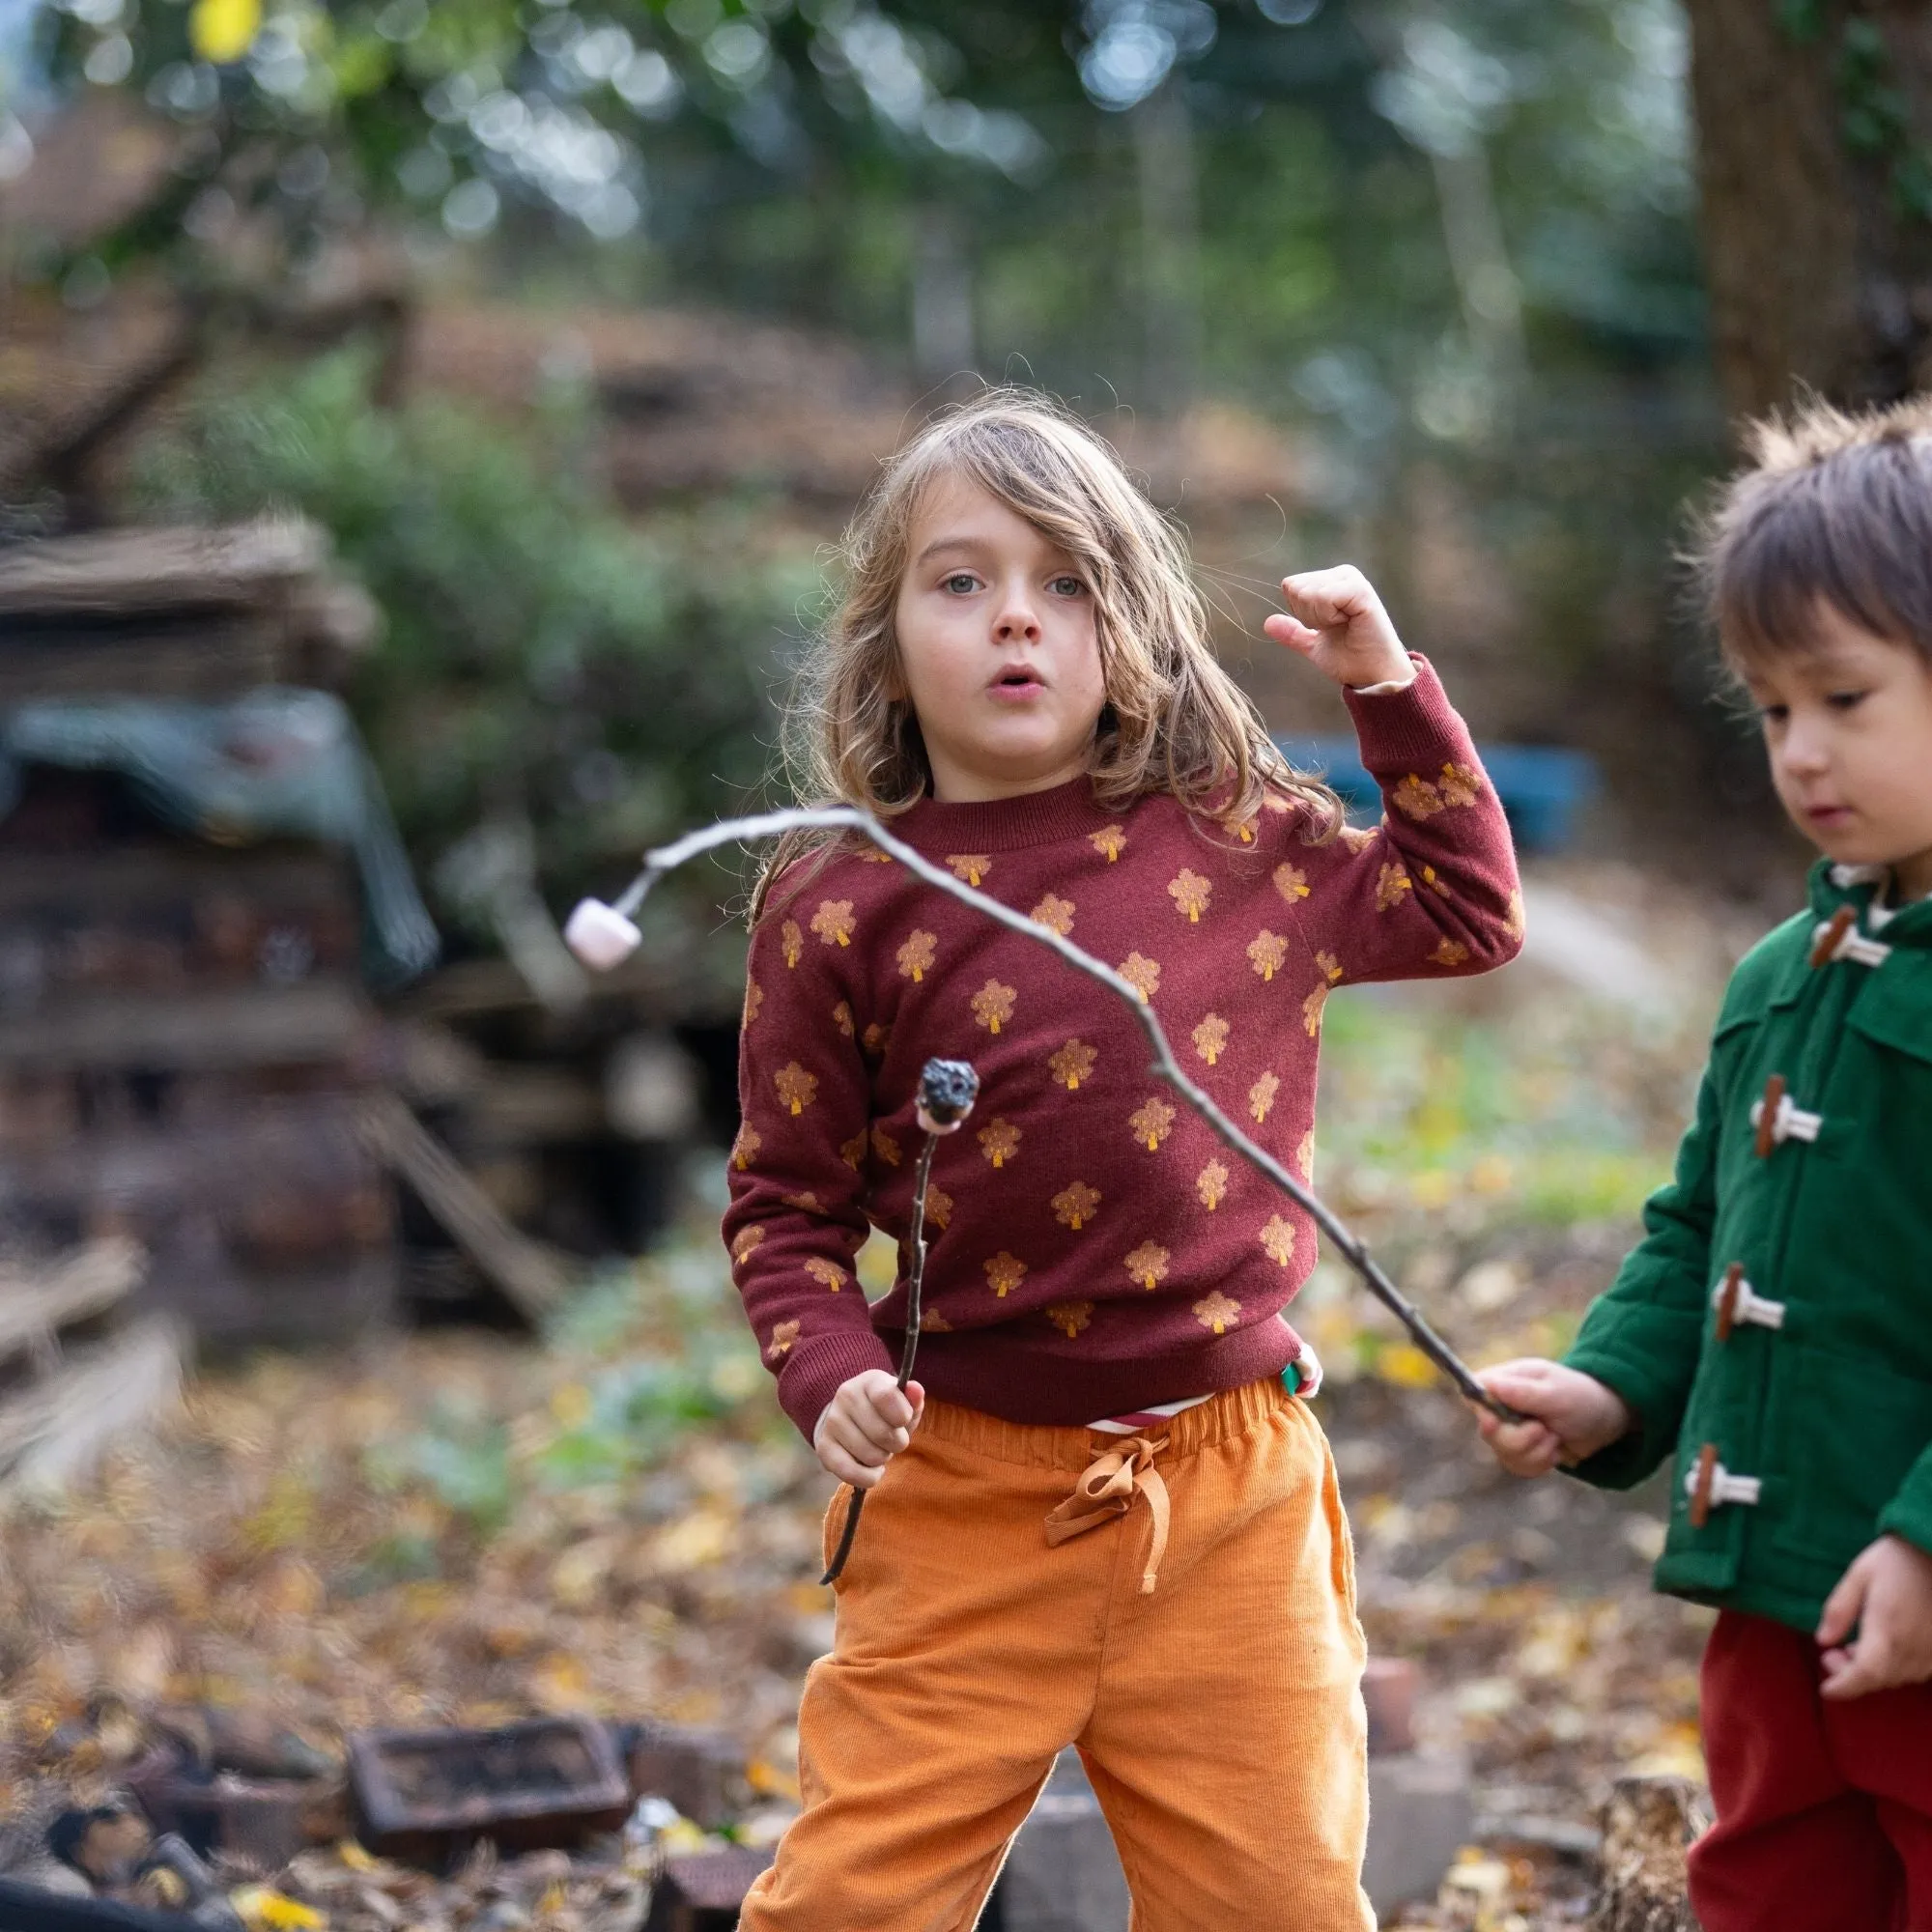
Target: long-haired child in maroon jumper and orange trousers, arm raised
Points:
x,y
1100,1518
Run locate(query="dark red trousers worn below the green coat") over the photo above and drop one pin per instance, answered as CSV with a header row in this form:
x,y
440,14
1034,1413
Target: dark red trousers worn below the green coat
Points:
x,y
1825,1811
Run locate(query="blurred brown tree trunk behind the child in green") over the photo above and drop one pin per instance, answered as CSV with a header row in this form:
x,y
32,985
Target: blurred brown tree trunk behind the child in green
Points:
x,y
1817,196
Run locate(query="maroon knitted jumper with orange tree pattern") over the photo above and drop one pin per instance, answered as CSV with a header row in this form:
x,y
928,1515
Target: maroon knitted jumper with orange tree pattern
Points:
x,y
1094,1247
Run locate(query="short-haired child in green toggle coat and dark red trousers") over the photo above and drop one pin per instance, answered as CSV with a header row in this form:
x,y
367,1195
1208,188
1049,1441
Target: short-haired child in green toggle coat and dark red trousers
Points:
x,y
1776,1322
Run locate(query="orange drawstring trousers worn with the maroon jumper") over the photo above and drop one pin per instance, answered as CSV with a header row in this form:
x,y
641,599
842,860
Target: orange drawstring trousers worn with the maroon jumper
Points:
x,y
1220,1715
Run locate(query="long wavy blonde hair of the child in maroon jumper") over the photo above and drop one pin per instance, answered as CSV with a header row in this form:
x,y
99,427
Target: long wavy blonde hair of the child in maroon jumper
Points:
x,y
1174,720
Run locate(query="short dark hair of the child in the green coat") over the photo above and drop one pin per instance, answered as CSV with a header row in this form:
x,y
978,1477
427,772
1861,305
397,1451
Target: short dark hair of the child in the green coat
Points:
x,y
1833,509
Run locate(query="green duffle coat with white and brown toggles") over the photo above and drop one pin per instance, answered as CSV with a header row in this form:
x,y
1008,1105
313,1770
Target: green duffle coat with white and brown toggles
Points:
x,y
1775,1326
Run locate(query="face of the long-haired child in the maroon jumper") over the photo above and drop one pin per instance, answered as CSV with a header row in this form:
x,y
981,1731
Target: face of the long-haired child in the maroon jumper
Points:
x,y
998,648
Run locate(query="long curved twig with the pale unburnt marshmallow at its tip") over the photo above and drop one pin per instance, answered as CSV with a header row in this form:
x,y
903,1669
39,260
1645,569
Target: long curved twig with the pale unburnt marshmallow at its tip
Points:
x,y
770,824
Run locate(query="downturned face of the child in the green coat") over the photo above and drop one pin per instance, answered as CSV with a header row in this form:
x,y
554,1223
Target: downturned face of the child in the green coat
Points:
x,y
1848,724
